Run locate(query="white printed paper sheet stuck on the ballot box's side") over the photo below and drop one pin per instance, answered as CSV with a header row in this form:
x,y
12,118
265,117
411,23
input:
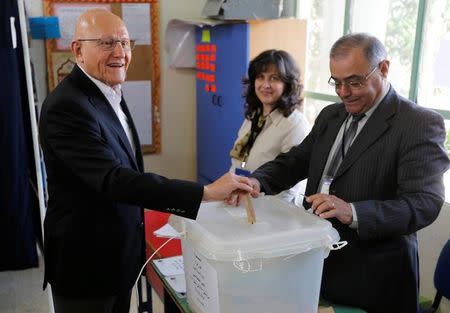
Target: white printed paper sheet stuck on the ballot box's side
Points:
x,y
201,282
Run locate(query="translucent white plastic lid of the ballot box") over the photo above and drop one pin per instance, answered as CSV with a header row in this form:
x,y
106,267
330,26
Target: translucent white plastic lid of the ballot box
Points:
x,y
221,232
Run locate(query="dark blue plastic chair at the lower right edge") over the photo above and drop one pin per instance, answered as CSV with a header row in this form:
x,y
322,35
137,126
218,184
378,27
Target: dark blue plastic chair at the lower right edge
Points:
x,y
441,279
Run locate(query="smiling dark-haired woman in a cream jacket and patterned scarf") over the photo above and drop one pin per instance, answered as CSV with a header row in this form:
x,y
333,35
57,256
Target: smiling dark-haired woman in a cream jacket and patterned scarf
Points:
x,y
273,124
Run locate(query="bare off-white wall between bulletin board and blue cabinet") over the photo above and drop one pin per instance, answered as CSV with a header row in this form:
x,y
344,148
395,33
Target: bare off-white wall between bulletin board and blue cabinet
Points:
x,y
178,104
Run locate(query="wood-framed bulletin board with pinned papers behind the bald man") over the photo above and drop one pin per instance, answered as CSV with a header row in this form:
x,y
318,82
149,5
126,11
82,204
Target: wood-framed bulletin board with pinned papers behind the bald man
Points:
x,y
142,87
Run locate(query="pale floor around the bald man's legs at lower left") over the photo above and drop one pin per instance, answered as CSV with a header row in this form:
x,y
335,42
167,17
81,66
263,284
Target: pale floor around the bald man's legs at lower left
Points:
x,y
21,292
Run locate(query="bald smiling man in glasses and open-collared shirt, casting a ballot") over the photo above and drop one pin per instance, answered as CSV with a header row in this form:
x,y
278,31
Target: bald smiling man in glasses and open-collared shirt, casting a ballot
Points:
x,y
94,232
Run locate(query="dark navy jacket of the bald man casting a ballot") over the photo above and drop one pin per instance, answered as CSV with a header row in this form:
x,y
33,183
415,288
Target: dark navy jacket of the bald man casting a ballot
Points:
x,y
94,232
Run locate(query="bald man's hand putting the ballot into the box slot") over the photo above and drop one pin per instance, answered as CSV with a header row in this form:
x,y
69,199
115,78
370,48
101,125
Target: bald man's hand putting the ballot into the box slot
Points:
x,y
223,187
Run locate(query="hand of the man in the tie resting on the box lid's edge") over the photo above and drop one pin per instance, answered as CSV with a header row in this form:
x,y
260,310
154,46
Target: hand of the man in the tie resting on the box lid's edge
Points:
x,y
328,206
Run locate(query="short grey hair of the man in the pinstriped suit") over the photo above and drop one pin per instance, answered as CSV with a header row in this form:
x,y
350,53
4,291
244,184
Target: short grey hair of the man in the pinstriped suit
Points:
x,y
372,47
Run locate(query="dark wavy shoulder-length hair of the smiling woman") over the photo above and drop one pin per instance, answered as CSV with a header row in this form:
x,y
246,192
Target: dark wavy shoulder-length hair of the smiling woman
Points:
x,y
289,74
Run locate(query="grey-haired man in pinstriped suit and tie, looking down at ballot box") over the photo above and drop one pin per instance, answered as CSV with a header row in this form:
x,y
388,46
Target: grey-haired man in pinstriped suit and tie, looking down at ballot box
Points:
x,y
374,163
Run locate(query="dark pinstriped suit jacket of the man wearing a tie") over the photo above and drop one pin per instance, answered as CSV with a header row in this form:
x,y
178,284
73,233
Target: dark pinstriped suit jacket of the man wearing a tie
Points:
x,y
393,175
